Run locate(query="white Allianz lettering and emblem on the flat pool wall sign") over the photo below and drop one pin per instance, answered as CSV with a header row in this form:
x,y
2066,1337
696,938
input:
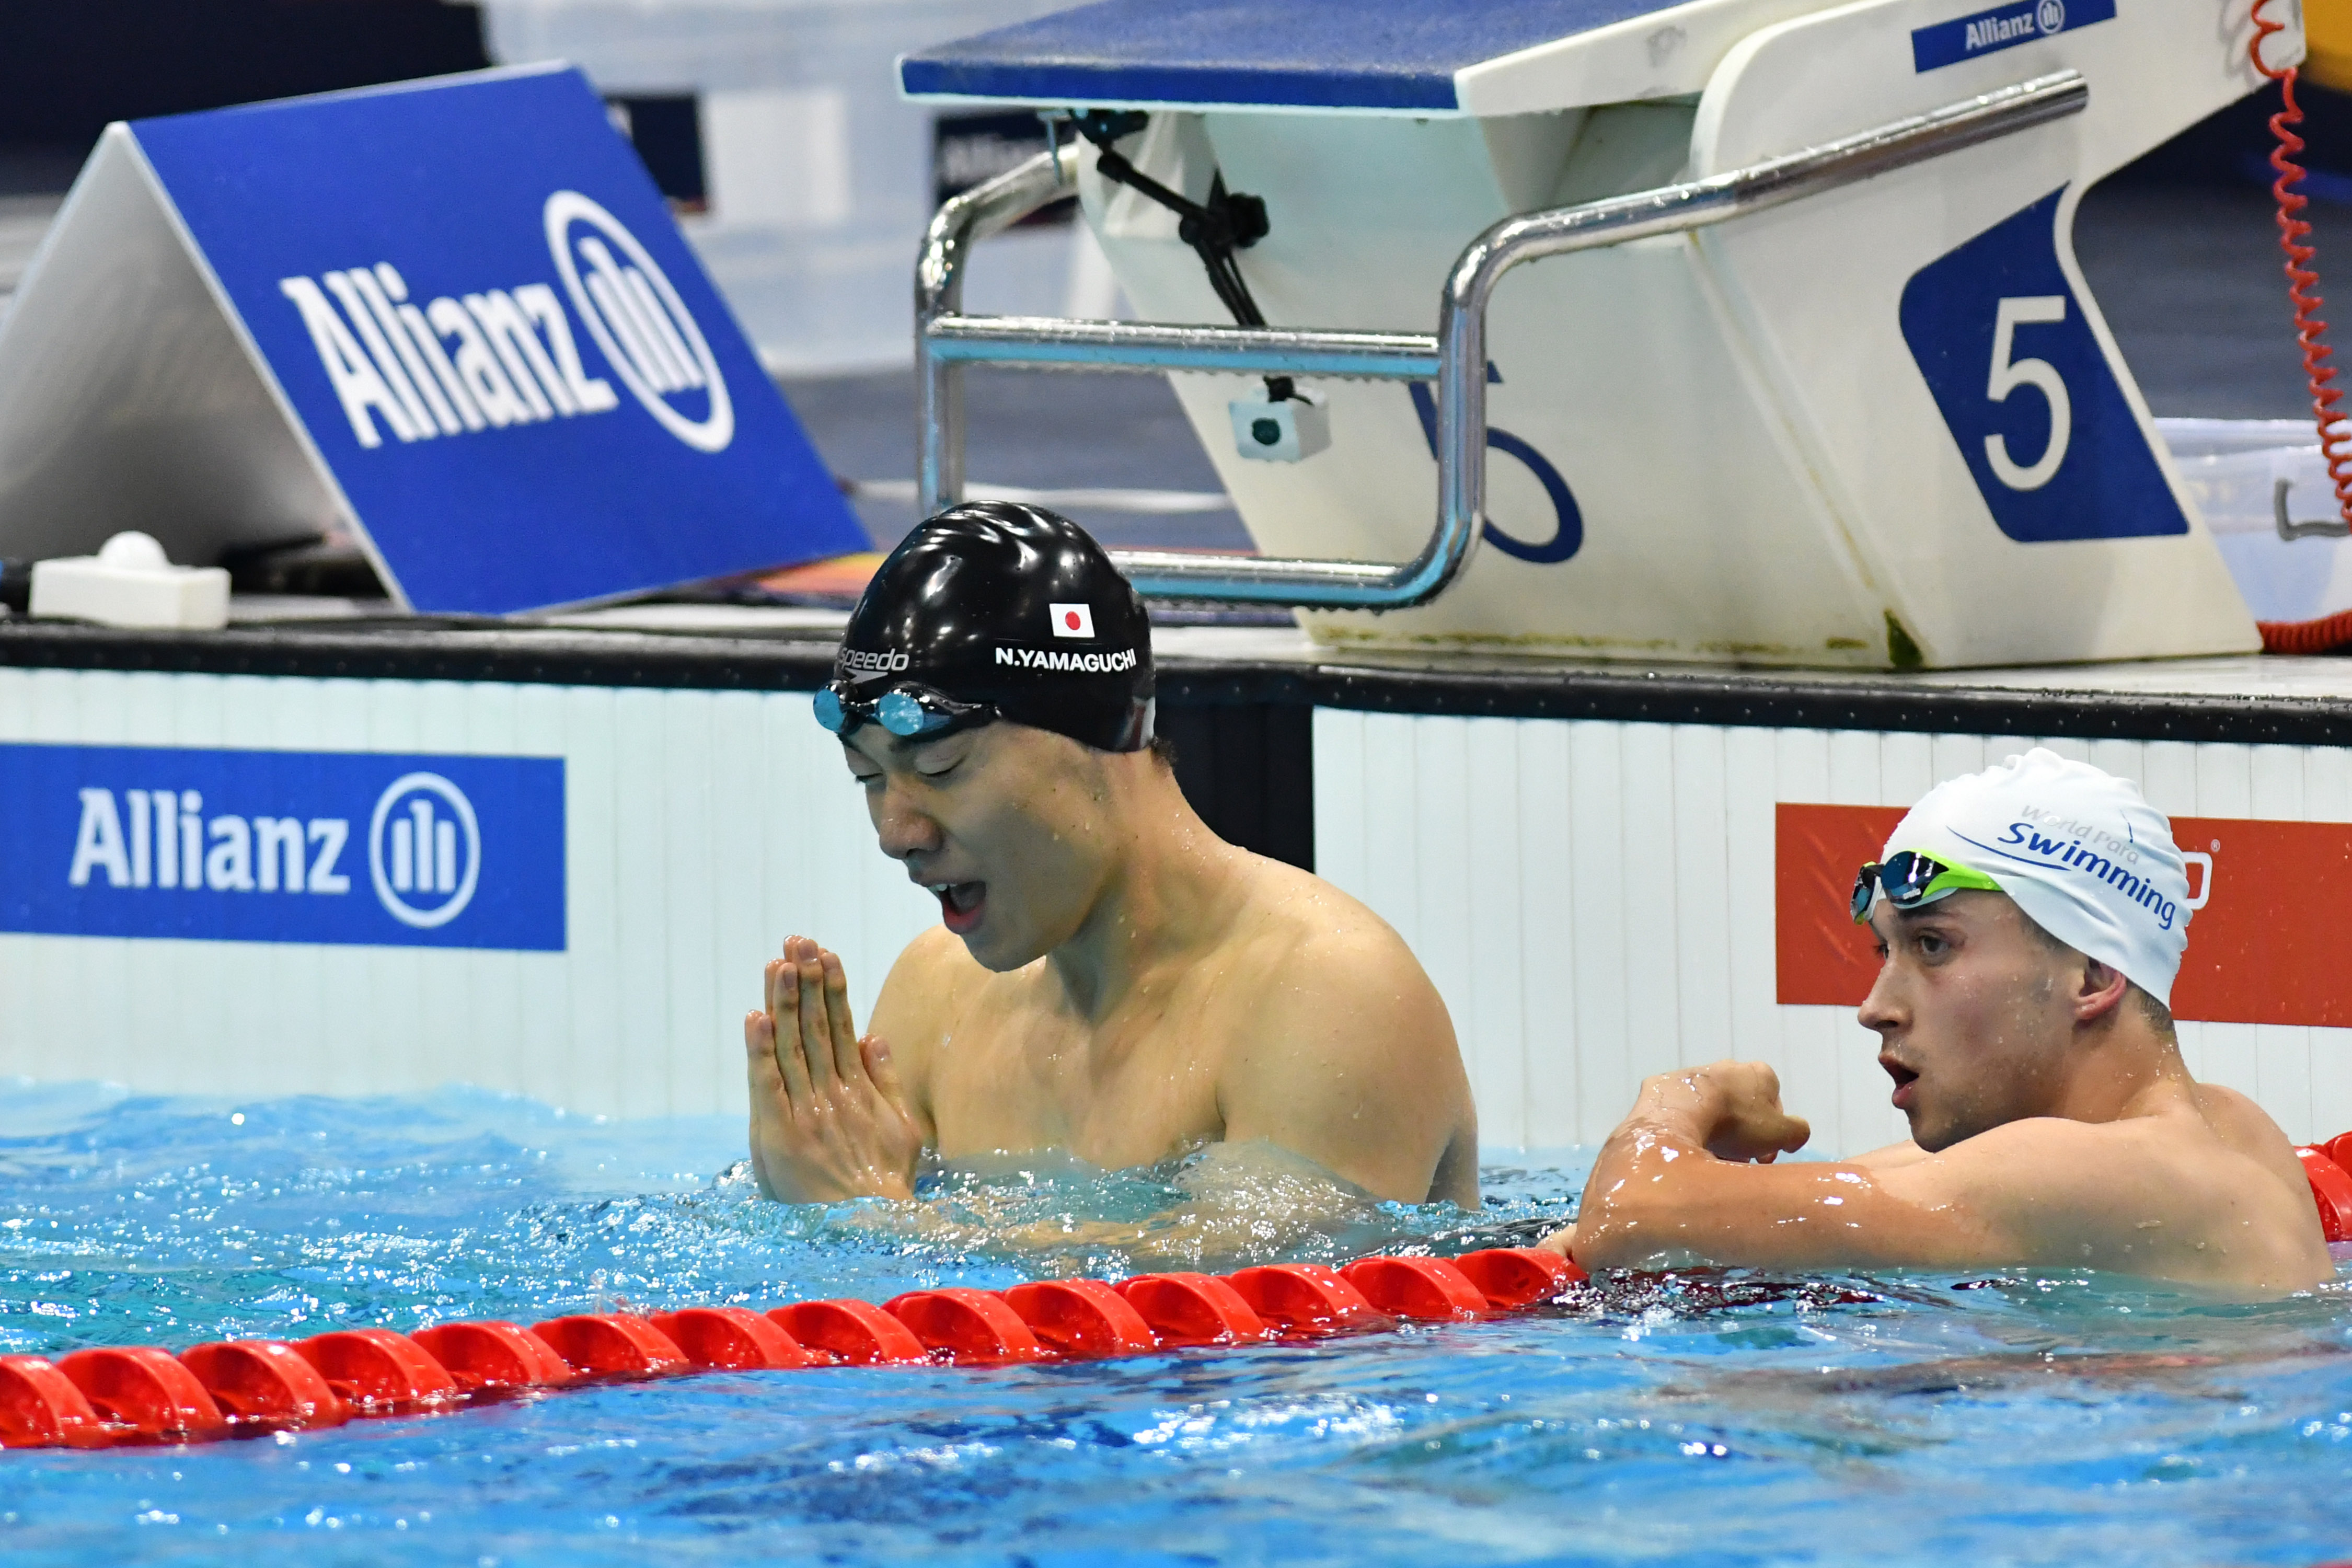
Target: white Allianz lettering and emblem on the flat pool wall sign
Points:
x,y
425,847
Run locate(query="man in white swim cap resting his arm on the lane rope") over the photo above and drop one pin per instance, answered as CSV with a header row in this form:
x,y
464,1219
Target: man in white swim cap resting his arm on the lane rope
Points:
x,y
2031,923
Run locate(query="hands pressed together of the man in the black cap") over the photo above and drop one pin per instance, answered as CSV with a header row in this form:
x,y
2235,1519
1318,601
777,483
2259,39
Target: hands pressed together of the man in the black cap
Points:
x,y
827,1113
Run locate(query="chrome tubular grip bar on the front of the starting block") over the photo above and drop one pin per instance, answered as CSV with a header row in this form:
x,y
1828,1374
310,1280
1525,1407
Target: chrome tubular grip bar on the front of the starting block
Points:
x,y
1457,356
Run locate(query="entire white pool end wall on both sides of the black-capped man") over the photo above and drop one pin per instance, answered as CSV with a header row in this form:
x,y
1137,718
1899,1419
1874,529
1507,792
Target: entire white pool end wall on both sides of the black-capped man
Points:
x,y
1593,899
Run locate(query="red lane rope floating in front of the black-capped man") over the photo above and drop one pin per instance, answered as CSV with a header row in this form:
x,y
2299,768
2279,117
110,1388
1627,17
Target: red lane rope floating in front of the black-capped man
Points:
x,y
246,1388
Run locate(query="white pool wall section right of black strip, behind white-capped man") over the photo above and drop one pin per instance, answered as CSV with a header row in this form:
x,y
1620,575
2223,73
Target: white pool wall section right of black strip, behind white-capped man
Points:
x,y
1596,902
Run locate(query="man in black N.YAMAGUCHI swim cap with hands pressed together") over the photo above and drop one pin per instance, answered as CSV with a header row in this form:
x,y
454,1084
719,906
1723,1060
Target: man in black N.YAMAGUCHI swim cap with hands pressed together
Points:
x,y
1109,977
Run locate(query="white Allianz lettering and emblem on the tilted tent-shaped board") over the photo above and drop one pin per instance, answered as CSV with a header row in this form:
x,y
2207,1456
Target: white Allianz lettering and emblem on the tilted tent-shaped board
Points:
x,y
500,359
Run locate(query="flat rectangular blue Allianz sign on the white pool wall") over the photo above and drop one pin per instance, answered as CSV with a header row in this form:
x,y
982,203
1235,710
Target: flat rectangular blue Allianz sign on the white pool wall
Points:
x,y
286,847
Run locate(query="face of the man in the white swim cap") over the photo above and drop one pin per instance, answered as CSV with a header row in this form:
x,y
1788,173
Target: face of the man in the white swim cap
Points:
x,y
1975,1014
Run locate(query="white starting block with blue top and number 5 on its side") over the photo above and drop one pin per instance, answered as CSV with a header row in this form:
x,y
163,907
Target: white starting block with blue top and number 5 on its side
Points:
x,y
1876,427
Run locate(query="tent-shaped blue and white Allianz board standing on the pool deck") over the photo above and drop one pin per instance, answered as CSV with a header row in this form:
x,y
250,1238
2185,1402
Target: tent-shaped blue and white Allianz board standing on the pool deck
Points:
x,y
448,316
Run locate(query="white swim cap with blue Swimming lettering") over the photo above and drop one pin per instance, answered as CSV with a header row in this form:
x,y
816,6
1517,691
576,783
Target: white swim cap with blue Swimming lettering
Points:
x,y
2078,850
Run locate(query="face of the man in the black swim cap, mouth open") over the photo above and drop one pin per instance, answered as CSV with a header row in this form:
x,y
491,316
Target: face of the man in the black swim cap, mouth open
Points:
x,y
1008,826
